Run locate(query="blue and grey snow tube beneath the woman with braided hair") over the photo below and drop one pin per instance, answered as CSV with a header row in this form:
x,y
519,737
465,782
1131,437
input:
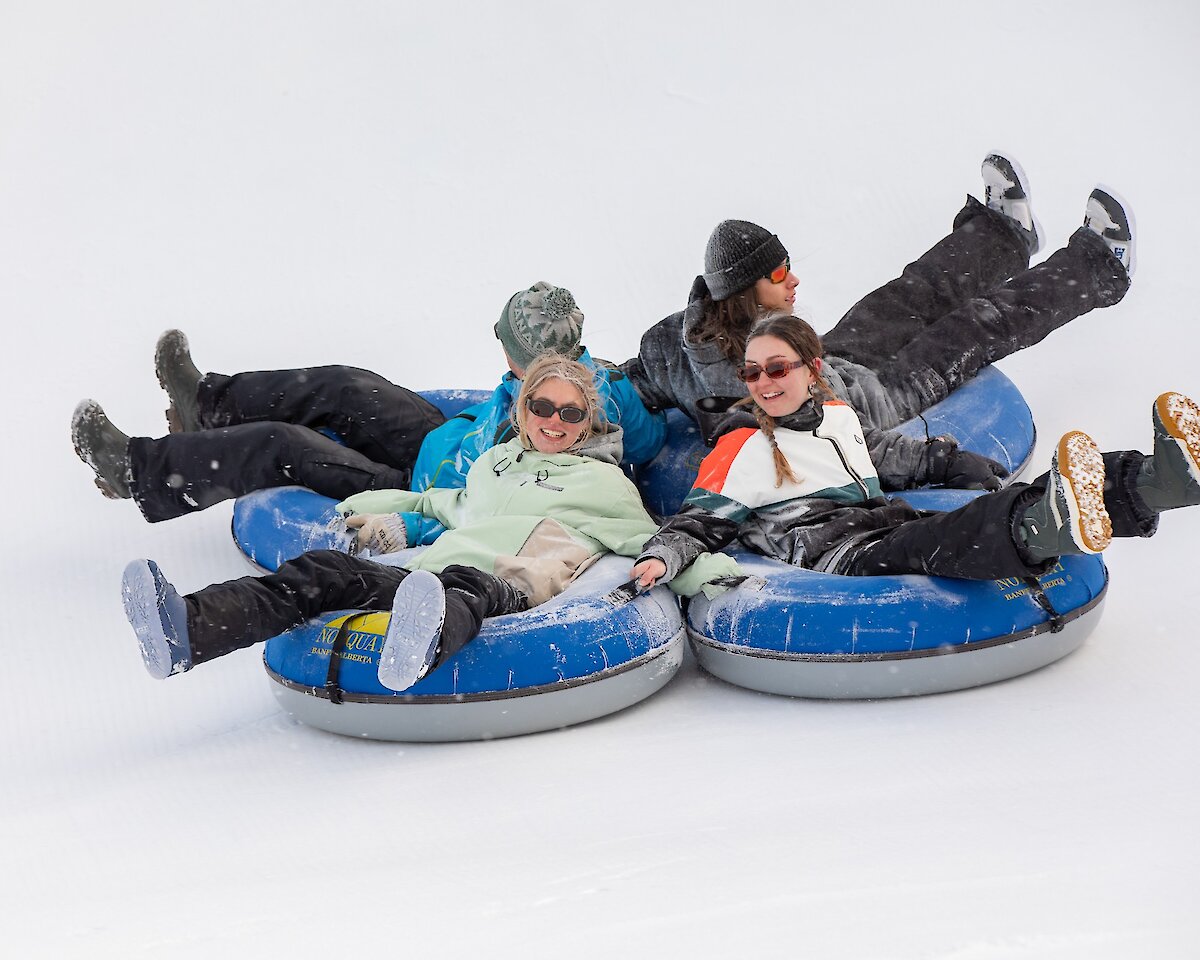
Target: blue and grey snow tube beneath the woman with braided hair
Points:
x,y
815,635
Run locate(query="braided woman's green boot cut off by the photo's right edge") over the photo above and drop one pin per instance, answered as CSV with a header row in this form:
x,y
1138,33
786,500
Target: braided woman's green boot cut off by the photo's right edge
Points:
x,y
1172,477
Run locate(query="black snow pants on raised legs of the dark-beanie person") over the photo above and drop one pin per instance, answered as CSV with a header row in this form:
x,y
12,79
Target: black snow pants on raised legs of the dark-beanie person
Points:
x,y
969,302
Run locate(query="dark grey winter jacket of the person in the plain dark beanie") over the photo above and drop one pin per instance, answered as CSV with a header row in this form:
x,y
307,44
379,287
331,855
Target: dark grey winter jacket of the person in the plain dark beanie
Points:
x,y
673,371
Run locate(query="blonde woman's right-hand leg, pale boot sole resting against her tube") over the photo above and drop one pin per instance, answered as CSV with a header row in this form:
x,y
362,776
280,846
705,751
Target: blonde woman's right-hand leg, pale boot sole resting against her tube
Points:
x,y
436,616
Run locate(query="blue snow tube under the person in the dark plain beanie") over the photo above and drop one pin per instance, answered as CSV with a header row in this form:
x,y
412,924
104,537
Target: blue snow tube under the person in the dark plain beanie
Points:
x,y
988,416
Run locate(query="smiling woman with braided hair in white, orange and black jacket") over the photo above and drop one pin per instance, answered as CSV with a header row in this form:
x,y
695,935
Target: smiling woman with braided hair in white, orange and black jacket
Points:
x,y
796,477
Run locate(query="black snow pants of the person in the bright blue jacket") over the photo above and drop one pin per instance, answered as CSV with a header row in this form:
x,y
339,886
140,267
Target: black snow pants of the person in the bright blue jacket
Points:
x,y
263,430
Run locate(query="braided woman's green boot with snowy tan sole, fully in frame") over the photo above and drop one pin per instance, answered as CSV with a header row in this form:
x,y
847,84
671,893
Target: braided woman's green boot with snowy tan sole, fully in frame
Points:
x,y
1071,517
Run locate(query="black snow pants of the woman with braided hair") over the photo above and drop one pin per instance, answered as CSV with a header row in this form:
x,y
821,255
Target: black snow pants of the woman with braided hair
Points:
x,y
980,541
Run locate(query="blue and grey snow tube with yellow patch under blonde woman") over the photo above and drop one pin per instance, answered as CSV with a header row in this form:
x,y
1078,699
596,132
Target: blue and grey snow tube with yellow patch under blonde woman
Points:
x,y
573,659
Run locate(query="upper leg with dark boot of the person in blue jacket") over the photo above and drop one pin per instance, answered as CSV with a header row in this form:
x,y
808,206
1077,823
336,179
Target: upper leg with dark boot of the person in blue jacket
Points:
x,y
370,415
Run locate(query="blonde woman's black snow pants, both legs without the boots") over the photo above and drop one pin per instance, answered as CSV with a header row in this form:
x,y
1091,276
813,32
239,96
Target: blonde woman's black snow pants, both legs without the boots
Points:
x,y
231,616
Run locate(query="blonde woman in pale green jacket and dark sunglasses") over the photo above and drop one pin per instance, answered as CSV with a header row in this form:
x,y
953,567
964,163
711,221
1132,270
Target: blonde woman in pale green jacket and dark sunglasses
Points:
x,y
535,513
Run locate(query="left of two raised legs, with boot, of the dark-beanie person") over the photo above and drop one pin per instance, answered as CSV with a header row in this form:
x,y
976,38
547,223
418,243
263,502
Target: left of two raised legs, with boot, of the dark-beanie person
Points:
x,y
988,245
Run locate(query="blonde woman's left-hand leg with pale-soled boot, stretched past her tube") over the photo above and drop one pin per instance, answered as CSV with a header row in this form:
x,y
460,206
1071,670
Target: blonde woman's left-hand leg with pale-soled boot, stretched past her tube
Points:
x,y
177,633
